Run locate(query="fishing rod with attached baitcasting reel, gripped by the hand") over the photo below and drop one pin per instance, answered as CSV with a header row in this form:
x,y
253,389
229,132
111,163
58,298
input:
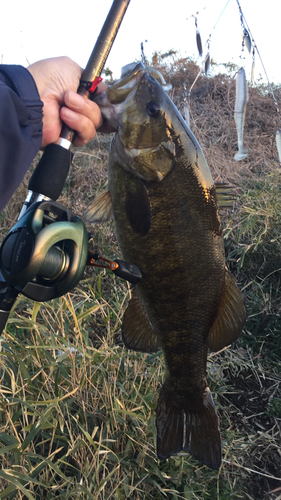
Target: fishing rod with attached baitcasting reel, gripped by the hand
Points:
x,y
45,253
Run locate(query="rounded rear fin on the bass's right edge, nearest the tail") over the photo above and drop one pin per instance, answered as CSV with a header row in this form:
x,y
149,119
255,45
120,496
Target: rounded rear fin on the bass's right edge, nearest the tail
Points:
x,y
230,318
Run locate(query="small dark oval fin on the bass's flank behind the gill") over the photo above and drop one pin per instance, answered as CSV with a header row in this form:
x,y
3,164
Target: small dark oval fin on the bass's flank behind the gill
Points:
x,y
137,206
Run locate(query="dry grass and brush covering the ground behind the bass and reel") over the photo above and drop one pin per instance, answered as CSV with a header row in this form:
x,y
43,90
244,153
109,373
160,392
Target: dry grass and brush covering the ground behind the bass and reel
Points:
x,y
77,410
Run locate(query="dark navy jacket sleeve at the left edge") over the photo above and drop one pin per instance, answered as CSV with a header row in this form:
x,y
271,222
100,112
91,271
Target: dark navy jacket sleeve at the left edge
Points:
x,y
20,127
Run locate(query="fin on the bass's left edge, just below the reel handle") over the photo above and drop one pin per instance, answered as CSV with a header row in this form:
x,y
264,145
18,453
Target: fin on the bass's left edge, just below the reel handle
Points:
x,y
137,332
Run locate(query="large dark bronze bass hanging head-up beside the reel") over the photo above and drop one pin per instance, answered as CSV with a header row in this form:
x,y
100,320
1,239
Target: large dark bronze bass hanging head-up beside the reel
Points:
x,y
166,218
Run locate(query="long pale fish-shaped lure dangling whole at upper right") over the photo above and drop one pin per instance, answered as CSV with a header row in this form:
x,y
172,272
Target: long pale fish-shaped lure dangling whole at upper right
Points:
x,y
240,112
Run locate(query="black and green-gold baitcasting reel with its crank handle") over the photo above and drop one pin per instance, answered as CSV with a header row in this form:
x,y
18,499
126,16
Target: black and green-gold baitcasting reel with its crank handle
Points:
x,y
45,254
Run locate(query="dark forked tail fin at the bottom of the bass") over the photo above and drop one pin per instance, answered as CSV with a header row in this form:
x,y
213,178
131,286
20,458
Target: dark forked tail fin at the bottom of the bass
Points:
x,y
193,429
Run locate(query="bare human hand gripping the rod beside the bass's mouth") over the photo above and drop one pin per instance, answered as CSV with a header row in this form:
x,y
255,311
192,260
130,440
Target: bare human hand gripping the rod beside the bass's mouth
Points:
x,y
57,80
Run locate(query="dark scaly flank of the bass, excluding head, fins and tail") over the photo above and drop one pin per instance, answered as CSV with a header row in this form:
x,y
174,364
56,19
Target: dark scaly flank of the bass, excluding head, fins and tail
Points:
x,y
169,241
